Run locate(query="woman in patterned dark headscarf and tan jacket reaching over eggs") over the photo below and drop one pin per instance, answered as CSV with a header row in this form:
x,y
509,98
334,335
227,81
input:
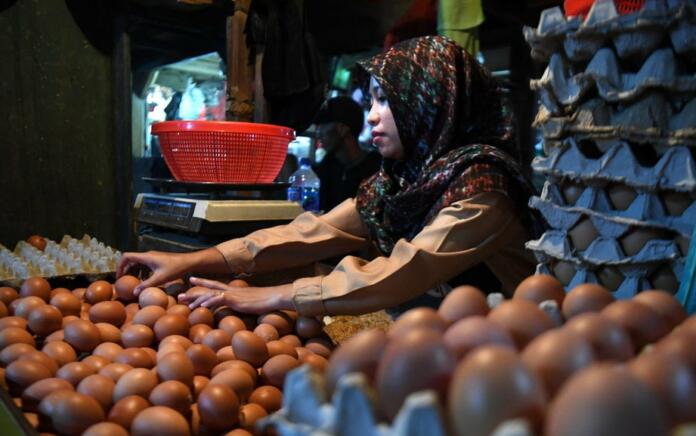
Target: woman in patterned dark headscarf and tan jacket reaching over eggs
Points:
x,y
448,204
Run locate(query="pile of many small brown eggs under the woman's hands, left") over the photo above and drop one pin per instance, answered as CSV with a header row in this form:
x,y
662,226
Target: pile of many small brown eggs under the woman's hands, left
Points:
x,y
101,360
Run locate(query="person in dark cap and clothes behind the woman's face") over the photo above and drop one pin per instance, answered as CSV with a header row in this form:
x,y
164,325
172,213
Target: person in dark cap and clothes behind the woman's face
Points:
x,y
346,164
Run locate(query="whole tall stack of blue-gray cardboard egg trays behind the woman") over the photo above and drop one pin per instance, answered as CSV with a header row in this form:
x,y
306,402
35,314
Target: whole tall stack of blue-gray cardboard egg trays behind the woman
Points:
x,y
618,117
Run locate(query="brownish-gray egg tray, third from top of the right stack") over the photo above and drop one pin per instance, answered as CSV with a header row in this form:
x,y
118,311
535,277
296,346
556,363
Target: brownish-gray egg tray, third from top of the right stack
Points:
x,y
653,118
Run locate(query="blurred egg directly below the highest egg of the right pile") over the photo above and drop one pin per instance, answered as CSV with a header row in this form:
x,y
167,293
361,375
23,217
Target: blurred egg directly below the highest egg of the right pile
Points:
x,y
523,319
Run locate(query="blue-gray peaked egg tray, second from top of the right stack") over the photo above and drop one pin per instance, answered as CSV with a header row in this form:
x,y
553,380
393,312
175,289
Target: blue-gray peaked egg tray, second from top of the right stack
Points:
x,y
561,88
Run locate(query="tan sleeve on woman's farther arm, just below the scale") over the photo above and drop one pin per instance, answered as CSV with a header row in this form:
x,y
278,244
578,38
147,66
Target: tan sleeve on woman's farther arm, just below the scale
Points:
x,y
308,238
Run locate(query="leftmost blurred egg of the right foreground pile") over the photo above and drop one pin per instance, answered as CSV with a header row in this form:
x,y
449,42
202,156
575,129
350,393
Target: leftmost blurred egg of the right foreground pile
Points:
x,y
360,353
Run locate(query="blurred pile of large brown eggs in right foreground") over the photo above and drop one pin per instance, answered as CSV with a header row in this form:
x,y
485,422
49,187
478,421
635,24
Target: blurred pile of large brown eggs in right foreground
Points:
x,y
602,367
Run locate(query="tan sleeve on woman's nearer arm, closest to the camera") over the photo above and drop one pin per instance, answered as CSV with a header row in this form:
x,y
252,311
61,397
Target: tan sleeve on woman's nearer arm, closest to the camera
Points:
x,y
460,236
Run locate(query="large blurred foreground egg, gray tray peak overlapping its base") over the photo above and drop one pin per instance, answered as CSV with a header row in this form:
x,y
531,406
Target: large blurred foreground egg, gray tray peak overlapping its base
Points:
x,y
490,386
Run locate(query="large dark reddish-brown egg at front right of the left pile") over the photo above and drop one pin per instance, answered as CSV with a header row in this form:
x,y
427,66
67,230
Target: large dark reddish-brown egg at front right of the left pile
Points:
x,y
218,407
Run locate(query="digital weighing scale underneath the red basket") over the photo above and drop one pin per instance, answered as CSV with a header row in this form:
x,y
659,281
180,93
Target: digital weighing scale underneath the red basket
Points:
x,y
186,216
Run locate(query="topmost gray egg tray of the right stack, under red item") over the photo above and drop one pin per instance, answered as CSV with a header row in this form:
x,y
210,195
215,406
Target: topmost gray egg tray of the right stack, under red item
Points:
x,y
632,35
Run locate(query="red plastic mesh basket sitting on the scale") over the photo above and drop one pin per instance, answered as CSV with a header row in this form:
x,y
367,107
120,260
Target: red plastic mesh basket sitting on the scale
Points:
x,y
223,151
